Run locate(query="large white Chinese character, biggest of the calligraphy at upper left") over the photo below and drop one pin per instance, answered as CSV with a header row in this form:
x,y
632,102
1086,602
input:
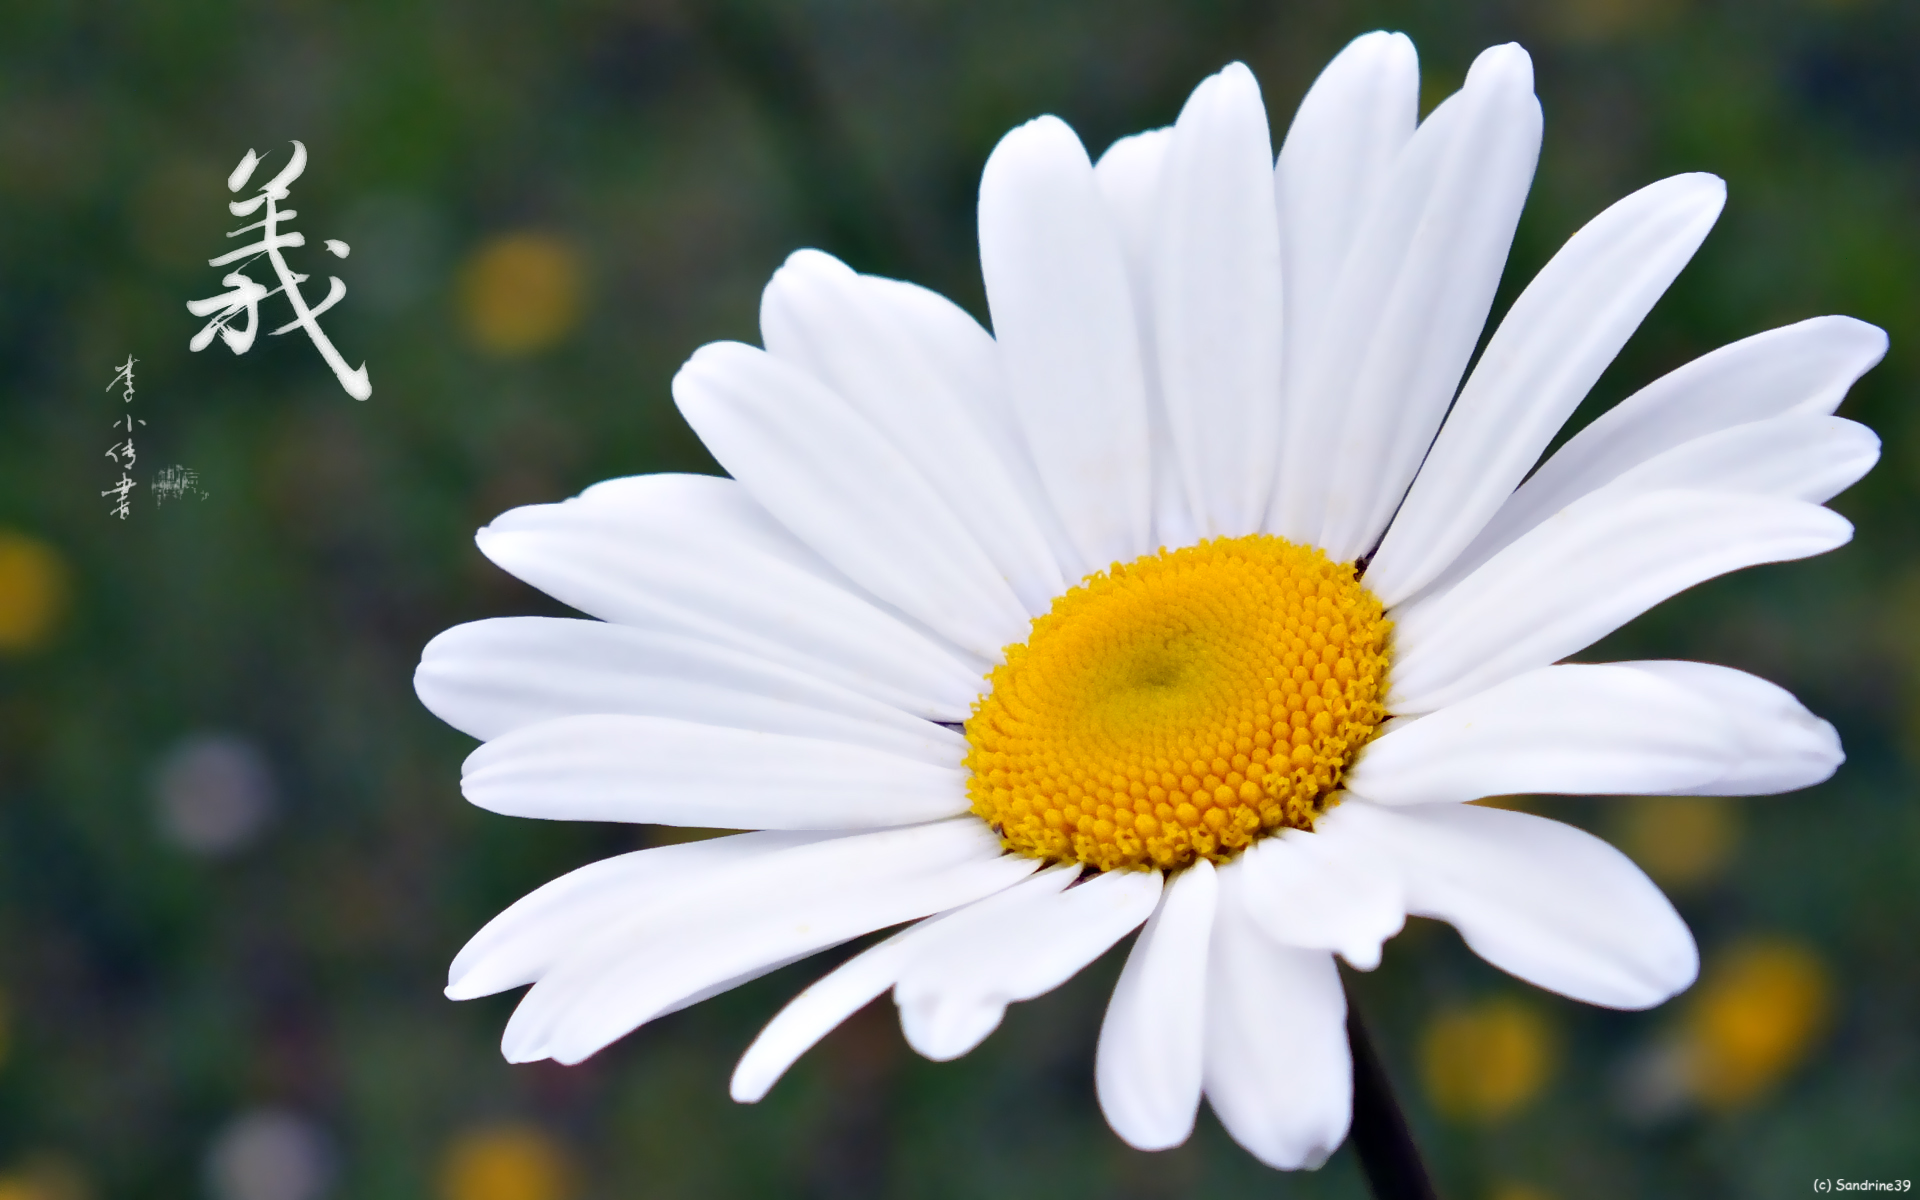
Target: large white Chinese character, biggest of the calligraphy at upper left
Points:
x,y
249,295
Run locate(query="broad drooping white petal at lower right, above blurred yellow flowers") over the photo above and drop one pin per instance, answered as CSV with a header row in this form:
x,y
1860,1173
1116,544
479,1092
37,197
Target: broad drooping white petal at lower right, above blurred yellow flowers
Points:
x,y
1545,901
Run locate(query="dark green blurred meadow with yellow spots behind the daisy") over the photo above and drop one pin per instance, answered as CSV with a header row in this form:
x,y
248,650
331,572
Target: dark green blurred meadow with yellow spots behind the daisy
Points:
x,y
233,853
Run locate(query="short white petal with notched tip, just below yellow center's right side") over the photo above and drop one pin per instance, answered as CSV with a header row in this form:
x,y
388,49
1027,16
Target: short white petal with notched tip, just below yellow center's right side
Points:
x,y
1326,890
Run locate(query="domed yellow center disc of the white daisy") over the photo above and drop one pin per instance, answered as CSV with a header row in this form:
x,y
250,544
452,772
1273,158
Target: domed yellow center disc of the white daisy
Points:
x,y
1180,708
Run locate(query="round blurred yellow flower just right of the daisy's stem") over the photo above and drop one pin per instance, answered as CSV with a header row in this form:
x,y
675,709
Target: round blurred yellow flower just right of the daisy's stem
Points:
x,y
1487,1061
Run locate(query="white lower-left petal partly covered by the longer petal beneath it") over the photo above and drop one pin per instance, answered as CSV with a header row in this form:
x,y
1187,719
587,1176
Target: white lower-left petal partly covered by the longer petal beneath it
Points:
x,y
544,926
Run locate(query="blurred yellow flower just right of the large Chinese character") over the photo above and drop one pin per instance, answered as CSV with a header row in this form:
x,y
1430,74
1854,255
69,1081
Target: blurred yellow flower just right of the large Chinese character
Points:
x,y
521,293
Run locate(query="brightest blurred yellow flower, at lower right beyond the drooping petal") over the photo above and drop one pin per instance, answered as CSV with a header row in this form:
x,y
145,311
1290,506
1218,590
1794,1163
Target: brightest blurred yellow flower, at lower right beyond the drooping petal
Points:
x,y
1754,1019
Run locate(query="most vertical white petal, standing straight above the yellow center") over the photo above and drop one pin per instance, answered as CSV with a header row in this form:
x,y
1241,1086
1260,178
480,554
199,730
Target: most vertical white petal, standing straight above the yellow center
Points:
x,y
1216,300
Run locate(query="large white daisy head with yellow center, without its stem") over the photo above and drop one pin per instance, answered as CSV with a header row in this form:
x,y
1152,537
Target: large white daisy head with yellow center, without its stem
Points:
x,y
1199,598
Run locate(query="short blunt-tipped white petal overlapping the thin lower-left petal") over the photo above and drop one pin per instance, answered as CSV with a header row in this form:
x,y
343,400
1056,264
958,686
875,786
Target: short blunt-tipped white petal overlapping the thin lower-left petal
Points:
x,y
1017,946
